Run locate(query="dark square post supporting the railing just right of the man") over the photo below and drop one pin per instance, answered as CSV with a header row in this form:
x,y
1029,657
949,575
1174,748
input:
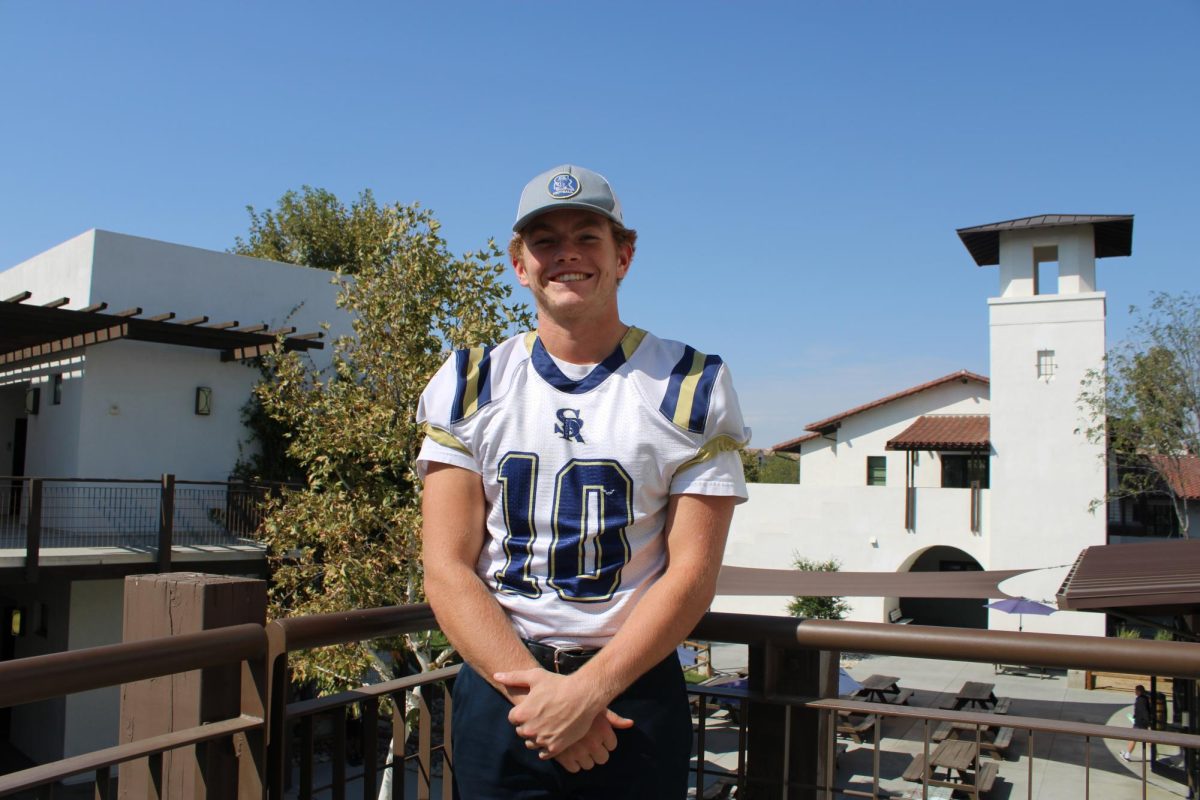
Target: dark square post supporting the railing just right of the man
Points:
x,y
783,741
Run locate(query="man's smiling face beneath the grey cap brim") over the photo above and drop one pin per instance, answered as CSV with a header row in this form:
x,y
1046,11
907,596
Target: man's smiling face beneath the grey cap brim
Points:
x,y
572,264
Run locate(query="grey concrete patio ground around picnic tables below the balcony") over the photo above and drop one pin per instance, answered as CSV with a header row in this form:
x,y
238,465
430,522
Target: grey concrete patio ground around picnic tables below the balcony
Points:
x,y
1059,761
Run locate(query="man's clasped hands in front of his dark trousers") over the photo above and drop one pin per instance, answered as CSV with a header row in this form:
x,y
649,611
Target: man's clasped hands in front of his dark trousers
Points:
x,y
559,717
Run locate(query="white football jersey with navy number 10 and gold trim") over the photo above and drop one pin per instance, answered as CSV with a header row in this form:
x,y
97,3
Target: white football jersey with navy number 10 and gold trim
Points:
x,y
578,474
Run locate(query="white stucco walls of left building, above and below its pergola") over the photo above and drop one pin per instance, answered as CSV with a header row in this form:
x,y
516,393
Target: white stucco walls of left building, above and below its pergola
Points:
x,y
129,407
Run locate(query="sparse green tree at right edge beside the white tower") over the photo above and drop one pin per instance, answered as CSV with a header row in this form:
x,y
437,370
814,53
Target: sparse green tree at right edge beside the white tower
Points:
x,y
1145,404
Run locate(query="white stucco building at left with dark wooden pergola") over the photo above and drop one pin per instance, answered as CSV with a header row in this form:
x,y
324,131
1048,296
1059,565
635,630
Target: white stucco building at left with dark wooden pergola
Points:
x,y
124,358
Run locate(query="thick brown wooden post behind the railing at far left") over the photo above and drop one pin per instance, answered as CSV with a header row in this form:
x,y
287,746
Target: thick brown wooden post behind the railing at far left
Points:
x,y
185,603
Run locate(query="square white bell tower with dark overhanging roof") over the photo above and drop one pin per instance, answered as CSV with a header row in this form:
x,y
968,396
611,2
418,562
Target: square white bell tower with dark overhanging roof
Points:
x,y
1047,330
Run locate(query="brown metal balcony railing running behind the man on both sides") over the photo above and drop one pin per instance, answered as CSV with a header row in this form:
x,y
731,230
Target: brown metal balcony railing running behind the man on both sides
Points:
x,y
788,701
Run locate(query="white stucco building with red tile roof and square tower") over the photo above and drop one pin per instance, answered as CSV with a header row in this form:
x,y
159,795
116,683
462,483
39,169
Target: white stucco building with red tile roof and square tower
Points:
x,y
964,472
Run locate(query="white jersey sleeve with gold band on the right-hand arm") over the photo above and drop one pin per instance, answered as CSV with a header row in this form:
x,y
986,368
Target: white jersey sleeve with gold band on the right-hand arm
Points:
x,y
717,467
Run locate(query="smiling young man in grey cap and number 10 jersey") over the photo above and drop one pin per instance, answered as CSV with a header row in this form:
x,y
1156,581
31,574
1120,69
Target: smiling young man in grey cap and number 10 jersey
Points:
x,y
579,489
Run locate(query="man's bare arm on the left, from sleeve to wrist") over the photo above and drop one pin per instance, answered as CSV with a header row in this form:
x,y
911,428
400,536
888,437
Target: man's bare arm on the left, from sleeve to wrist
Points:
x,y
454,528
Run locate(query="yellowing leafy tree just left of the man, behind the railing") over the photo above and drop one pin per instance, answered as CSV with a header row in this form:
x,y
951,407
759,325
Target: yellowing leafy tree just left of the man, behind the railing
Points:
x,y
351,537
